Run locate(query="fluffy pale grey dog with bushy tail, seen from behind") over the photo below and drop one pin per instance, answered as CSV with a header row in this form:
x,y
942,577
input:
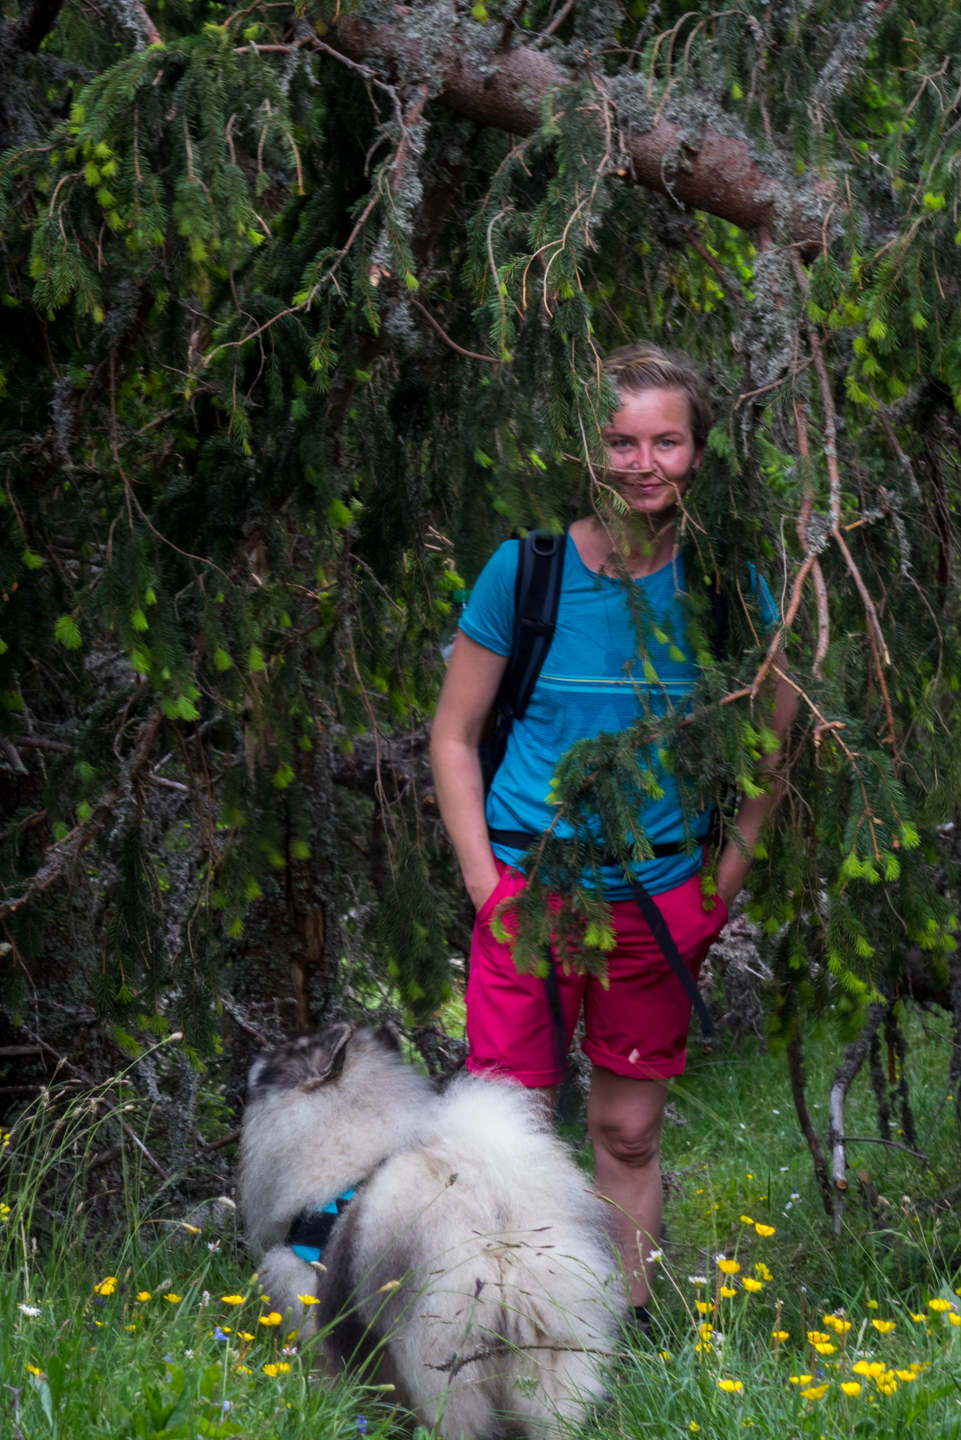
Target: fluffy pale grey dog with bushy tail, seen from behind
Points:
x,y
466,1199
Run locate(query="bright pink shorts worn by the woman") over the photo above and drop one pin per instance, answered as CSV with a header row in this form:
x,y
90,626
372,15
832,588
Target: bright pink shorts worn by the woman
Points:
x,y
638,1027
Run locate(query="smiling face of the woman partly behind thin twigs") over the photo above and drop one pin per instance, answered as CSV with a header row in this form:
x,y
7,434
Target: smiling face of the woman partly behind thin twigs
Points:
x,y
652,451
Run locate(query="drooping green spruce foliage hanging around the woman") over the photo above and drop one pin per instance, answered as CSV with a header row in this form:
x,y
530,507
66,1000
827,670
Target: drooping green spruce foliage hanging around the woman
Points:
x,y
238,462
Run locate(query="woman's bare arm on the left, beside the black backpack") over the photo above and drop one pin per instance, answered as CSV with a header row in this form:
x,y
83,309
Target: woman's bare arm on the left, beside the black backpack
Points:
x,y
470,689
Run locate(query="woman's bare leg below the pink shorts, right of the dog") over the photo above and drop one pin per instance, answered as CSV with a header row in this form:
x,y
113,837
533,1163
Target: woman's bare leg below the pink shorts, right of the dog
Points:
x,y
625,1120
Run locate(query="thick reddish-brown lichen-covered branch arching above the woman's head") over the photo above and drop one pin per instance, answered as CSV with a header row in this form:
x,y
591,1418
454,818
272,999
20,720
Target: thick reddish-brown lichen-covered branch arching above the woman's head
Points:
x,y
508,90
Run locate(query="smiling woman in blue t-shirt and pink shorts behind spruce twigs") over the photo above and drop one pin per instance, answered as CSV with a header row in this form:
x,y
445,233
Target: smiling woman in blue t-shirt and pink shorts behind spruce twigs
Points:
x,y
636,1030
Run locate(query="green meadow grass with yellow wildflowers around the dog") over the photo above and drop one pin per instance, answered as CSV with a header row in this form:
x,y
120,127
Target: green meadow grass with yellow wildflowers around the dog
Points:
x,y
77,1363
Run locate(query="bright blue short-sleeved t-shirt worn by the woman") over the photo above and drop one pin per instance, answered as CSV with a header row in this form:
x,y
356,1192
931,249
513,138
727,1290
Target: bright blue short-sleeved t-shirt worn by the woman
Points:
x,y
593,682
